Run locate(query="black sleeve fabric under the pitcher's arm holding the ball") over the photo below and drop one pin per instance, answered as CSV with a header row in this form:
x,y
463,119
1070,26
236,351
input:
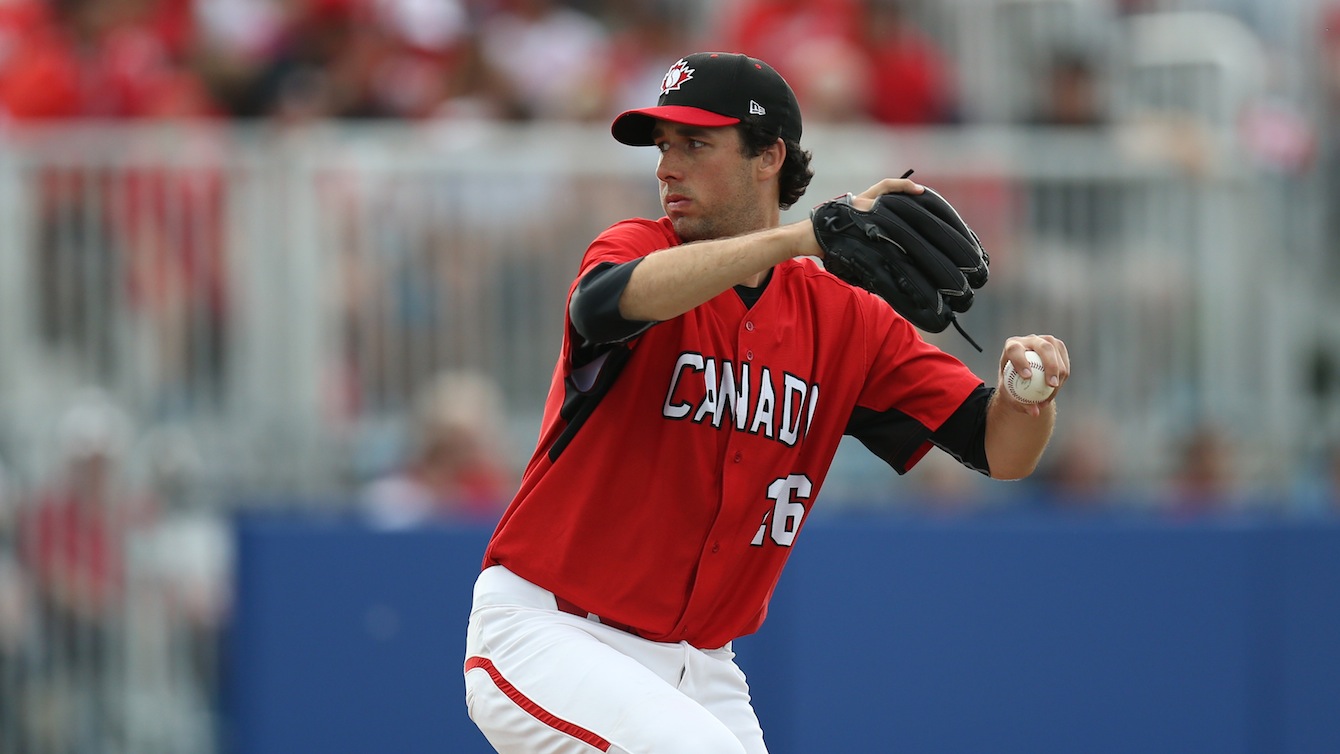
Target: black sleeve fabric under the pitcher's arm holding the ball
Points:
x,y
896,437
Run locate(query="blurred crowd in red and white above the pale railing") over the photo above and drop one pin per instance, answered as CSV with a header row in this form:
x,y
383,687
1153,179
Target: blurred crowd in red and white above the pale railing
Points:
x,y
511,60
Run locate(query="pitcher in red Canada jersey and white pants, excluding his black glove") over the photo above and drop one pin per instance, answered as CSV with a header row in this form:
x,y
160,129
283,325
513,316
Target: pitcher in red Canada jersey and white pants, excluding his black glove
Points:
x,y
707,376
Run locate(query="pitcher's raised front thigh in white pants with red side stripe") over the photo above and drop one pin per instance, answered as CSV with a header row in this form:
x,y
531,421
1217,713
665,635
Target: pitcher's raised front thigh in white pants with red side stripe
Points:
x,y
545,682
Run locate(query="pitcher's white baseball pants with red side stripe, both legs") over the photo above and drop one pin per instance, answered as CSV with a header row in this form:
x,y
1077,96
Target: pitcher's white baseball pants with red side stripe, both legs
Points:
x,y
539,681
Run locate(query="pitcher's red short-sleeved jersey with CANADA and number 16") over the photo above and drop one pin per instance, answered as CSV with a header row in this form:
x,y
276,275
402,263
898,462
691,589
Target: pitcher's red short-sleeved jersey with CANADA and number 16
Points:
x,y
676,471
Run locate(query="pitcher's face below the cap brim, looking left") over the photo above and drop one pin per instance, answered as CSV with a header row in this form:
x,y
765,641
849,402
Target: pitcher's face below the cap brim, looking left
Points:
x,y
710,188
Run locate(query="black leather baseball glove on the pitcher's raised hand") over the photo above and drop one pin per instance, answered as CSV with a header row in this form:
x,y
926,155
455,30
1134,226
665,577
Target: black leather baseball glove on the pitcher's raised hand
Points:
x,y
913,251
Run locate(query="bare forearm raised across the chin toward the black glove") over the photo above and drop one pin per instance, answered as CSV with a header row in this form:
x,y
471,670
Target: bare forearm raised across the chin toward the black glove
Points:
x,y
671,282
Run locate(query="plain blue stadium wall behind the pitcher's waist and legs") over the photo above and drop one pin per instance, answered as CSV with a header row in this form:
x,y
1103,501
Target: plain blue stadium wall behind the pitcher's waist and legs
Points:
x,y
1012,635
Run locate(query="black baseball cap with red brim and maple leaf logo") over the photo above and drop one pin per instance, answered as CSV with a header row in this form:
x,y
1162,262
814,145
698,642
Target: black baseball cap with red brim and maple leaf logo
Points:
x,y
714,90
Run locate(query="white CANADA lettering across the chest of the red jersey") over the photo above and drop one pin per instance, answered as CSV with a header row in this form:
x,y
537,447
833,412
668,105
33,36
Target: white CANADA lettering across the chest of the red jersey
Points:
x,y
719,392
